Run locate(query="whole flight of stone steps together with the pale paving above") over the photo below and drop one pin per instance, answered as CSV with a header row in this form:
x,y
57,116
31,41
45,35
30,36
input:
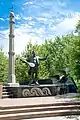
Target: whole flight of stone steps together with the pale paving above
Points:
x,y
18,109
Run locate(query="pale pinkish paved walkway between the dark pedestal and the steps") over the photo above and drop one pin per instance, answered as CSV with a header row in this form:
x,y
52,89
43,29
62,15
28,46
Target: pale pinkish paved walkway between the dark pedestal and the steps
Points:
x,y
36,100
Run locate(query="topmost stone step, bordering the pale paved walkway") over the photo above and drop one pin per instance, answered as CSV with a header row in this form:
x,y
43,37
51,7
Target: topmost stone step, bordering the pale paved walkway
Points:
x,y
66,103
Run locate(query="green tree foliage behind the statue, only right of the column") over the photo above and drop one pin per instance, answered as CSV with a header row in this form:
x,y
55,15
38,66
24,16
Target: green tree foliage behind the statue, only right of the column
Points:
x,y
61,54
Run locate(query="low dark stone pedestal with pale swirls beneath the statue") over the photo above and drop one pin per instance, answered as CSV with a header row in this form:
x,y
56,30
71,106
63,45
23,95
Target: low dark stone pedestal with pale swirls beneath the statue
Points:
x,y
24,91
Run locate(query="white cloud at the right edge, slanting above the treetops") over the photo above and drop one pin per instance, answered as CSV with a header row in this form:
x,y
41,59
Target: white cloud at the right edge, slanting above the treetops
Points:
x,y
66,25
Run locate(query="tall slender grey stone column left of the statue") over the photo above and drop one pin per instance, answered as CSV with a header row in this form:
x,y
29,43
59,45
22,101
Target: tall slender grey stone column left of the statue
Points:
x,y
11,71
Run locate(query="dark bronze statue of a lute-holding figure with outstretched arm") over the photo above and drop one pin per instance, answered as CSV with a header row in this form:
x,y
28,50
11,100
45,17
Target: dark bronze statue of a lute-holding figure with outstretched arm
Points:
x,y
33,62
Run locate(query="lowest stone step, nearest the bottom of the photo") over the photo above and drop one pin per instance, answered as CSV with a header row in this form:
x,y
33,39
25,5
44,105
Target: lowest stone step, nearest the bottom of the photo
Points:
x,y
28,115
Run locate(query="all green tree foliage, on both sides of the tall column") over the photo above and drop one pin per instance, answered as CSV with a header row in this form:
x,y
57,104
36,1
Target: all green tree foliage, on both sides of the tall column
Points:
x,y
63,52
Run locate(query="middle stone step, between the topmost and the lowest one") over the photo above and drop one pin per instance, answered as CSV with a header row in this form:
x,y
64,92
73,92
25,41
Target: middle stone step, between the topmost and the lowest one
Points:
x,y
38,109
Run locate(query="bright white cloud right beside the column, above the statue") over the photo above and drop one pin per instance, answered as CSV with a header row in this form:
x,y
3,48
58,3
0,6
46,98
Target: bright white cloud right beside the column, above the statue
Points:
x,y
22,38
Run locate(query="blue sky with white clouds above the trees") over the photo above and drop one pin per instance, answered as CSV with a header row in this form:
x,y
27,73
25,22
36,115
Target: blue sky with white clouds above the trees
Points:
x,y
37,20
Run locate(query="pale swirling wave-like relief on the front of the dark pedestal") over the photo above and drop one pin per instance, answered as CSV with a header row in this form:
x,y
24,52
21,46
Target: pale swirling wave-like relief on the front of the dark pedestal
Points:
x,y
36,92
